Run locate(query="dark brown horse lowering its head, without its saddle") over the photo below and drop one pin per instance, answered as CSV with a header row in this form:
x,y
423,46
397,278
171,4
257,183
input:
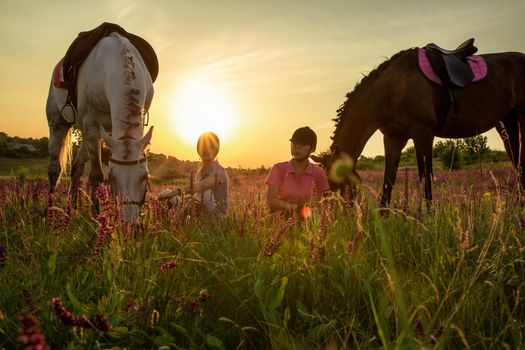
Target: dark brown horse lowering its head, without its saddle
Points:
x,y
397,99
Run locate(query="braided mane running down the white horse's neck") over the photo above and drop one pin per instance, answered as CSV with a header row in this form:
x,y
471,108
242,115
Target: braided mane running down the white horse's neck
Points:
x,y
131,101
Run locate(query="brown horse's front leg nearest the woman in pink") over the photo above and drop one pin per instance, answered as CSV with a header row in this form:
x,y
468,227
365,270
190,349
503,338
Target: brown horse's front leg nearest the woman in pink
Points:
x,y
393,148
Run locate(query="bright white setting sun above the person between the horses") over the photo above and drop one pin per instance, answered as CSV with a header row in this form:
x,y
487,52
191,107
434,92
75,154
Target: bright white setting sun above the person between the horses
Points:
x,y
201,106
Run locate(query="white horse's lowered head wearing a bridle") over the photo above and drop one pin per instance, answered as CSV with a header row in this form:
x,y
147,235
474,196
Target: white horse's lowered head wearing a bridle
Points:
x,y
128,171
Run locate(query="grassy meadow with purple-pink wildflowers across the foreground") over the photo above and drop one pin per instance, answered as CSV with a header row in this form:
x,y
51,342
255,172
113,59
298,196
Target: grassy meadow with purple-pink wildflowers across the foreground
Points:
x,y
345,276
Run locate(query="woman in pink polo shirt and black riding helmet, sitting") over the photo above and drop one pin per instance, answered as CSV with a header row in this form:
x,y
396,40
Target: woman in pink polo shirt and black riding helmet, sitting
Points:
x,y
291,184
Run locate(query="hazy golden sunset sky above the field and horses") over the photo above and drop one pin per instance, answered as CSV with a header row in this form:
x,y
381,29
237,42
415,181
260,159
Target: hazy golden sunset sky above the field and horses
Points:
x,y
266,67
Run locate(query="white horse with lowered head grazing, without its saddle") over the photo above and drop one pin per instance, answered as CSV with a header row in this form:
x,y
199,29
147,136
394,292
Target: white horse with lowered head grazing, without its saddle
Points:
x,y
114,90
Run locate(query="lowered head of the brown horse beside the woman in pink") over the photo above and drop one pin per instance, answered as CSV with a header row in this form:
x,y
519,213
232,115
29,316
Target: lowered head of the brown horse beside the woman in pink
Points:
x,y
340,170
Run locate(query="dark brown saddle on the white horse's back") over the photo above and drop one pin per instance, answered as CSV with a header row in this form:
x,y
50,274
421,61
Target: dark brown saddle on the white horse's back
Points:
x,y
82,46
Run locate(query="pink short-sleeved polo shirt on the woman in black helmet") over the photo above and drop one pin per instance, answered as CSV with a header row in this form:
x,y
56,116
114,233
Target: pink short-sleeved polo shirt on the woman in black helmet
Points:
x,y
297,189
